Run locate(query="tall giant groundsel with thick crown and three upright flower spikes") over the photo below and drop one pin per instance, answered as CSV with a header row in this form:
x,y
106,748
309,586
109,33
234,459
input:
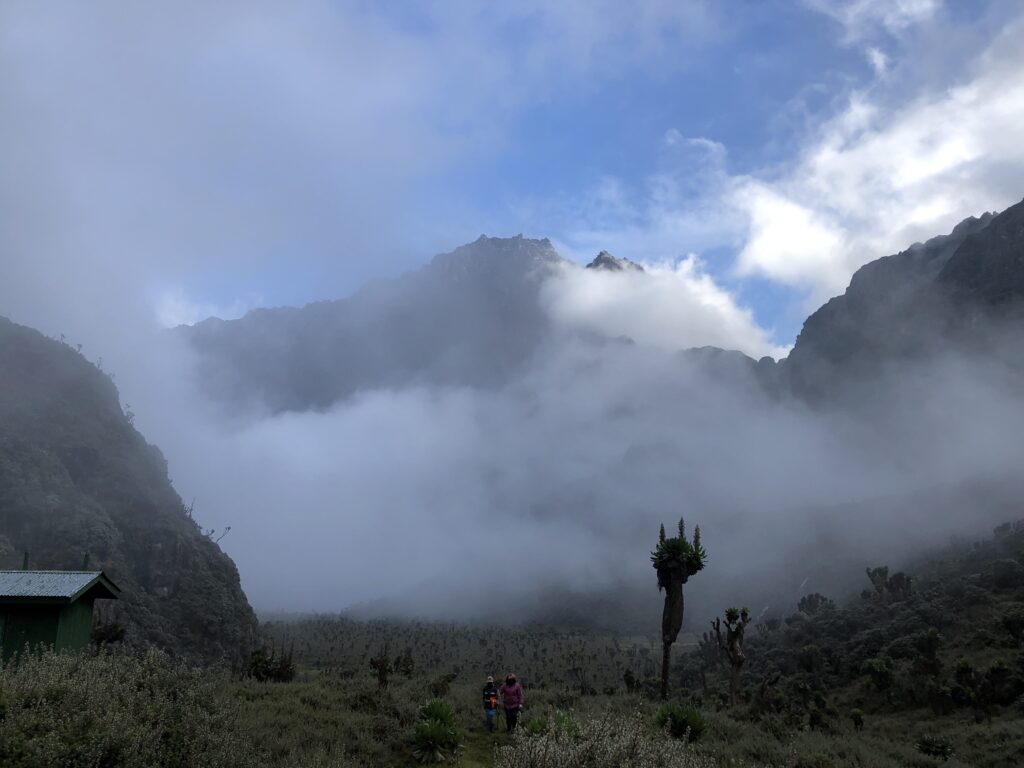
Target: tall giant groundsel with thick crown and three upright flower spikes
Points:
x,y
675,560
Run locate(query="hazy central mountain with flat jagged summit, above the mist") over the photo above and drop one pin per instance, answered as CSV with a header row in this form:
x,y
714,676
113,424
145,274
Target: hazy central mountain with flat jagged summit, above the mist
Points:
x,y
471,318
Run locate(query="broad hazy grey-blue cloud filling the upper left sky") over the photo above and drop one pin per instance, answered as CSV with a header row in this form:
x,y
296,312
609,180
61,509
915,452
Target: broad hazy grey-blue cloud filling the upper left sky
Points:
x,y
148,145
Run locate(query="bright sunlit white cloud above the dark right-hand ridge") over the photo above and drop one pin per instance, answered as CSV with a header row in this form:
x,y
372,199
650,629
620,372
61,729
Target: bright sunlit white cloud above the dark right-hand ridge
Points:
x,y
876,179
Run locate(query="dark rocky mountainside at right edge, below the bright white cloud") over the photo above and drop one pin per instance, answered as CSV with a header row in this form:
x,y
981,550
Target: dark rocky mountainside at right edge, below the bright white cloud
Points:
x,y
953,293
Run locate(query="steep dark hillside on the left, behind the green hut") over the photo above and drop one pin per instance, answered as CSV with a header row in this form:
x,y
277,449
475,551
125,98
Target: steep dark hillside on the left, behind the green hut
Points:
x,y
77,478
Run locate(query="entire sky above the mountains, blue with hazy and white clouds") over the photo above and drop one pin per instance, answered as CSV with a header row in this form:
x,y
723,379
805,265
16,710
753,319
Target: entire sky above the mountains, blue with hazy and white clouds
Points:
x,y
207,161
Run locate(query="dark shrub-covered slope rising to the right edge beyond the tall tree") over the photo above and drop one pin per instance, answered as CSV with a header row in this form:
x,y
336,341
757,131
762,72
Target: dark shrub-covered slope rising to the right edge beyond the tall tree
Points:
x,y
945,637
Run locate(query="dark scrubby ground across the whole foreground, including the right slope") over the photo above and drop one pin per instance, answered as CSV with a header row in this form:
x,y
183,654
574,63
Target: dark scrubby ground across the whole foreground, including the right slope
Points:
x,y
925,668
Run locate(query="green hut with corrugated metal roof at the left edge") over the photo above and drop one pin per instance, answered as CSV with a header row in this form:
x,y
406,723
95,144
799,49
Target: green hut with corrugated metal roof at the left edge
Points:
x,y
50,608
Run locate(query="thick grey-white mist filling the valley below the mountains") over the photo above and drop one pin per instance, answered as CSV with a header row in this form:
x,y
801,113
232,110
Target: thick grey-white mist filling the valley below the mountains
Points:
x,y
519,502
